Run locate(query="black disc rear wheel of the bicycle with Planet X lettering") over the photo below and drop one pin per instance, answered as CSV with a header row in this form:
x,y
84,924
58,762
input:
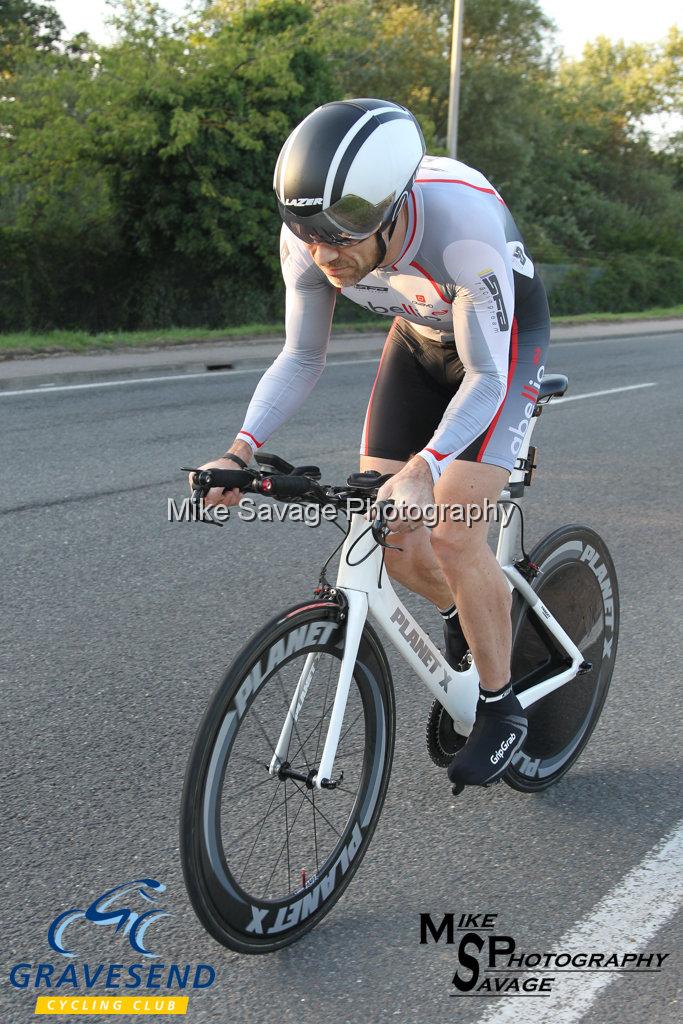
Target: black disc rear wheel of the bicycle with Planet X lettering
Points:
x,y
578,584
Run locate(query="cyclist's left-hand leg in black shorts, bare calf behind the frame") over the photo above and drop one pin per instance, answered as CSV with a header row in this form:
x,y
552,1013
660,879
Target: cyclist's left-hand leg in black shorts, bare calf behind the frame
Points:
x,y
404,411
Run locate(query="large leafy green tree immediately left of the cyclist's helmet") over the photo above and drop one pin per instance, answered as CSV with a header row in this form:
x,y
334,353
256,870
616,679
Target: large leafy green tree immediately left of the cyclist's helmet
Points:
x,y
190,126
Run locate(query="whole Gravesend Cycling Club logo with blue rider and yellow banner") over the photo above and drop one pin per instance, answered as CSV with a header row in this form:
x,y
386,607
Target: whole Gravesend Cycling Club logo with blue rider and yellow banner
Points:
x,y
129,912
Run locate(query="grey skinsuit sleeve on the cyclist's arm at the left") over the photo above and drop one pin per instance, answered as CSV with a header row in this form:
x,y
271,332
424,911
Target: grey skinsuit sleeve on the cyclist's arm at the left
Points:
x,y
286,385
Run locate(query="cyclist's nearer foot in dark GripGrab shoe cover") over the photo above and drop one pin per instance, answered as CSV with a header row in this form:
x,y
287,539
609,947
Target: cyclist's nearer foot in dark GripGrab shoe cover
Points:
x,y
500,730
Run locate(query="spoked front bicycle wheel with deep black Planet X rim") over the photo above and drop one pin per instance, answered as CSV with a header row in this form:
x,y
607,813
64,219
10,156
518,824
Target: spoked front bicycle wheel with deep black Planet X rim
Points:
x,y
267,857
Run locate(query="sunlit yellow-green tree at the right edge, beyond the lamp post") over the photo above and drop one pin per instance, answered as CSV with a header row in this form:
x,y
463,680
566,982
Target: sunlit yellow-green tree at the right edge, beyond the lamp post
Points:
x,y
628,198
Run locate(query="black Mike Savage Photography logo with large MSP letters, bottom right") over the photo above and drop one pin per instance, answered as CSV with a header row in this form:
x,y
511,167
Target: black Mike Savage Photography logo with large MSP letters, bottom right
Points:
x,y
491,964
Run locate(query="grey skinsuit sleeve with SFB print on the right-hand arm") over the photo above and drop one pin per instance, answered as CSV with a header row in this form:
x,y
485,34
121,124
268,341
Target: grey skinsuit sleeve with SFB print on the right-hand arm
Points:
x,y
483,313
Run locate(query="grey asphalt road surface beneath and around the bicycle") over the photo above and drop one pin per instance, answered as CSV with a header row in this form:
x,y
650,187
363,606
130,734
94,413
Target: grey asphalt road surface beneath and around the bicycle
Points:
x,y
117,625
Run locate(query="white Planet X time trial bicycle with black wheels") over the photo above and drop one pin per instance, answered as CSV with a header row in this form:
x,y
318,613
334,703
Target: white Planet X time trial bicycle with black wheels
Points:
x,y
291,763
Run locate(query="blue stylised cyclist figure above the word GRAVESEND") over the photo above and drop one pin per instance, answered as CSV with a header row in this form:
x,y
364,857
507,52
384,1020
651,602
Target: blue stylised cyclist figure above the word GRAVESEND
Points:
x,y
108,910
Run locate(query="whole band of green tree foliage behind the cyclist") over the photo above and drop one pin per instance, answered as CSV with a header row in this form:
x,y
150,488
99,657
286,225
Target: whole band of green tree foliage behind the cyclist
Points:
x,y
136,179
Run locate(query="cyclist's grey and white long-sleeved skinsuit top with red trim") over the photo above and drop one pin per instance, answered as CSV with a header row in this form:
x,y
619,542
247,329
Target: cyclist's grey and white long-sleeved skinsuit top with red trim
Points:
x,y
461,279
